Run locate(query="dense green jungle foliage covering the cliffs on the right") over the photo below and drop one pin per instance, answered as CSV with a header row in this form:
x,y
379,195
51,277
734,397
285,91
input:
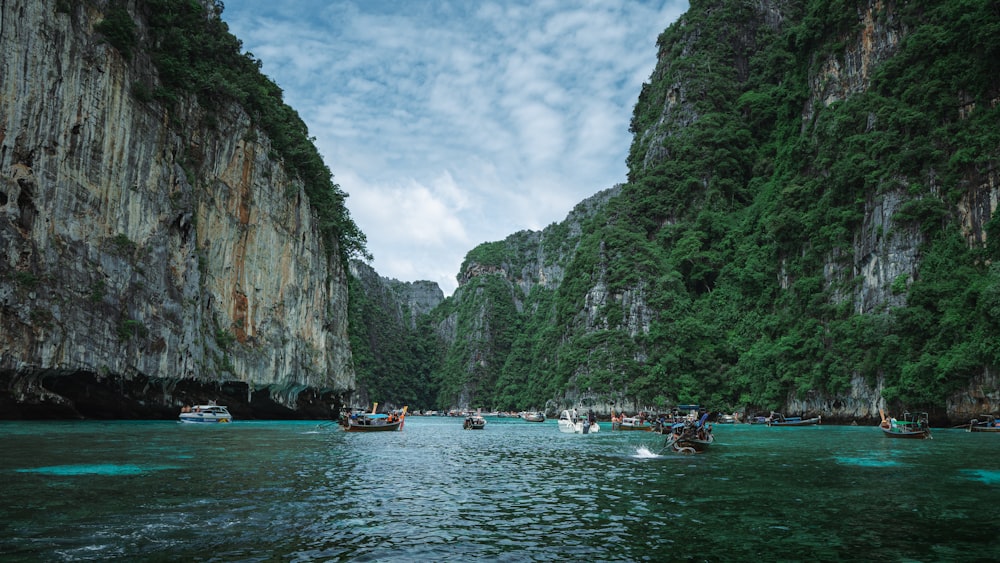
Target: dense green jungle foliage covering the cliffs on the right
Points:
x,y
739,226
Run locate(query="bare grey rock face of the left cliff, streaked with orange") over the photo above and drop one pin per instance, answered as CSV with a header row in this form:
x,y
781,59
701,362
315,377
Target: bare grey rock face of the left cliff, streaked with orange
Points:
x,y
147,245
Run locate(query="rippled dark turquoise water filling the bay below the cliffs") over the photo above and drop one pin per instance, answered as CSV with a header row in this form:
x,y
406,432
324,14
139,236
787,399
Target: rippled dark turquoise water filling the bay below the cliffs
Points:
x,y
516,491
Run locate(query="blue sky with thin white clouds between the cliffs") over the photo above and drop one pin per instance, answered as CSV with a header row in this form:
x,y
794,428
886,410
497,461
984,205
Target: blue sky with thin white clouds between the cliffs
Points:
x,y
451,123
